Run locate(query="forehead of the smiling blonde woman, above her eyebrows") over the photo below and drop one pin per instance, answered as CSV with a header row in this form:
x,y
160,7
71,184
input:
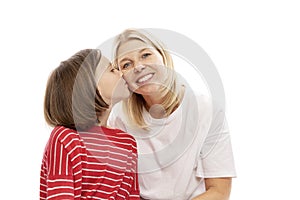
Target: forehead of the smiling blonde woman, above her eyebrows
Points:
x,y
132,46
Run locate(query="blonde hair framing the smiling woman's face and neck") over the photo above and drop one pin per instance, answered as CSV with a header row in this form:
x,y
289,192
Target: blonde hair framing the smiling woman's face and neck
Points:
x,y
170,95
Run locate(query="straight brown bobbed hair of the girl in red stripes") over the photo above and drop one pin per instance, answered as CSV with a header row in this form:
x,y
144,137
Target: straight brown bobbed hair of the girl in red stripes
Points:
x,y
72,98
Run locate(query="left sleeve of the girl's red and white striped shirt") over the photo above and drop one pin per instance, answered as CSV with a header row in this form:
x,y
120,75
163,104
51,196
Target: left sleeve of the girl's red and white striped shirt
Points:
x,y
57,178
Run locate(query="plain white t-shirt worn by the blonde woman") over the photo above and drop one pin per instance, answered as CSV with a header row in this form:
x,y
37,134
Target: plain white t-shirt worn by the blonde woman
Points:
x,y
177,152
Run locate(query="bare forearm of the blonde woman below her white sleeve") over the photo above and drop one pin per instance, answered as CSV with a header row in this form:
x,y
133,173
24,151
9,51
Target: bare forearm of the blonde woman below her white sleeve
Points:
x,y
216,189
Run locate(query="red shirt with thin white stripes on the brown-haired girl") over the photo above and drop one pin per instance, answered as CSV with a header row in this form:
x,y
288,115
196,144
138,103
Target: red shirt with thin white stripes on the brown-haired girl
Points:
x,y
100,163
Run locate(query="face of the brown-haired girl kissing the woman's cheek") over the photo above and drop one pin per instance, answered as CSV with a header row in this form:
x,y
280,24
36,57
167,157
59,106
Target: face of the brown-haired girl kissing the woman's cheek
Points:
x,y
112,87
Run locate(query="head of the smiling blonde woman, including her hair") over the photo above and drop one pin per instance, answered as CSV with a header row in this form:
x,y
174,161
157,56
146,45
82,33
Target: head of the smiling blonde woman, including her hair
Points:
x,y
148,69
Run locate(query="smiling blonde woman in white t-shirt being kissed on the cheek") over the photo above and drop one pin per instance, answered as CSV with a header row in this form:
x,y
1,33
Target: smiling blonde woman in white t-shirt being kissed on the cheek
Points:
x,y
183,142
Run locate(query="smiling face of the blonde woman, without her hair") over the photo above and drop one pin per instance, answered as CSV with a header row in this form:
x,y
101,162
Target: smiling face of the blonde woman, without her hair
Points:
x,y
142,66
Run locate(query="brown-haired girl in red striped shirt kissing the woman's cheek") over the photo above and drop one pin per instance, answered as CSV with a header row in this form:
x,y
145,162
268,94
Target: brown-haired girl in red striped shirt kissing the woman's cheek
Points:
x,y
85,159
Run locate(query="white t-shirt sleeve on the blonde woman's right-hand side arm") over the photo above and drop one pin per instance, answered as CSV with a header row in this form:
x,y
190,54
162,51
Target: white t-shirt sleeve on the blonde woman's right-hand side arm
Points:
x,y
216,156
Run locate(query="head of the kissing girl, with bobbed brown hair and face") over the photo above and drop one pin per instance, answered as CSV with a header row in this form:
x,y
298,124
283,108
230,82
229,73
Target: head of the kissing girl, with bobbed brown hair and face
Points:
x,y
81,89
